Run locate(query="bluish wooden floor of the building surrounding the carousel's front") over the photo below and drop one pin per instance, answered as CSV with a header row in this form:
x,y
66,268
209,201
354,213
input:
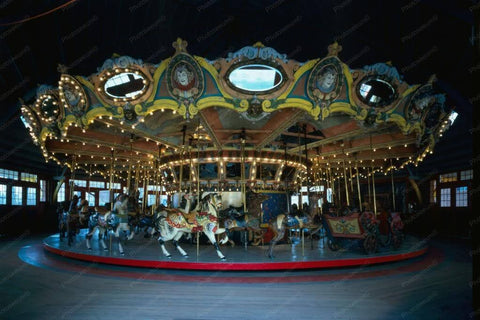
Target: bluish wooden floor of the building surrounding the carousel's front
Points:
x,y
38,285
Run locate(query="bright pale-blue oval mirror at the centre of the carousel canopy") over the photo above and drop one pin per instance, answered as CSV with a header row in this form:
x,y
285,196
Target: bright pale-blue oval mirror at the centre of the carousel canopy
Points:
x,y
255,77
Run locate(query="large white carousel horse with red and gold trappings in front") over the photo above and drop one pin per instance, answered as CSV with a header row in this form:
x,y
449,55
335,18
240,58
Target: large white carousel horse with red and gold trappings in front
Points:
x,y
176,223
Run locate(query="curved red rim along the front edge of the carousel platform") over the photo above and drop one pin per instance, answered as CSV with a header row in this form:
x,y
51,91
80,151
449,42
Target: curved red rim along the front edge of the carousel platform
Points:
x,y
237,266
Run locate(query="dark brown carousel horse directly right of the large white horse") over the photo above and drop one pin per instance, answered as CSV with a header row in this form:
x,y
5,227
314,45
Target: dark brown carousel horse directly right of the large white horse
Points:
x,y
236,219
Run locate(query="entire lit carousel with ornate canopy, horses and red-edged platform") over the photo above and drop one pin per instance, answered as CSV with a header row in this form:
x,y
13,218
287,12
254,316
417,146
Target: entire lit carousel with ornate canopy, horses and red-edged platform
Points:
x,y
248,162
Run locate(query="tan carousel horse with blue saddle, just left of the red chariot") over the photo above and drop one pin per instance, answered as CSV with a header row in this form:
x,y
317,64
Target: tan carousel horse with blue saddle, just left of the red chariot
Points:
x,y
298,220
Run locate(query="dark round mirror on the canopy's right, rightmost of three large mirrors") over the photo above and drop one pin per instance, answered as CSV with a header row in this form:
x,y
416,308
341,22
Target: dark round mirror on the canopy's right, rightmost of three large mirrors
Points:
x,y
377,92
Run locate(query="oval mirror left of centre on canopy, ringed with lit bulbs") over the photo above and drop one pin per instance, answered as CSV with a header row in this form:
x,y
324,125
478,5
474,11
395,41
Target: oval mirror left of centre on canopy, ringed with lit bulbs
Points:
x,y
124,85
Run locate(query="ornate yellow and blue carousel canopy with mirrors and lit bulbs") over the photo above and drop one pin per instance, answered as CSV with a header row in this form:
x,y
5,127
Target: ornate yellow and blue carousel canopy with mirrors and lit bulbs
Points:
x,y
255,117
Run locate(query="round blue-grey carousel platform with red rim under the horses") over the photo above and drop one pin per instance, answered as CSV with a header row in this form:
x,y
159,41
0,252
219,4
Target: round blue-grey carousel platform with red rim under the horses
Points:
x,y
141,252
